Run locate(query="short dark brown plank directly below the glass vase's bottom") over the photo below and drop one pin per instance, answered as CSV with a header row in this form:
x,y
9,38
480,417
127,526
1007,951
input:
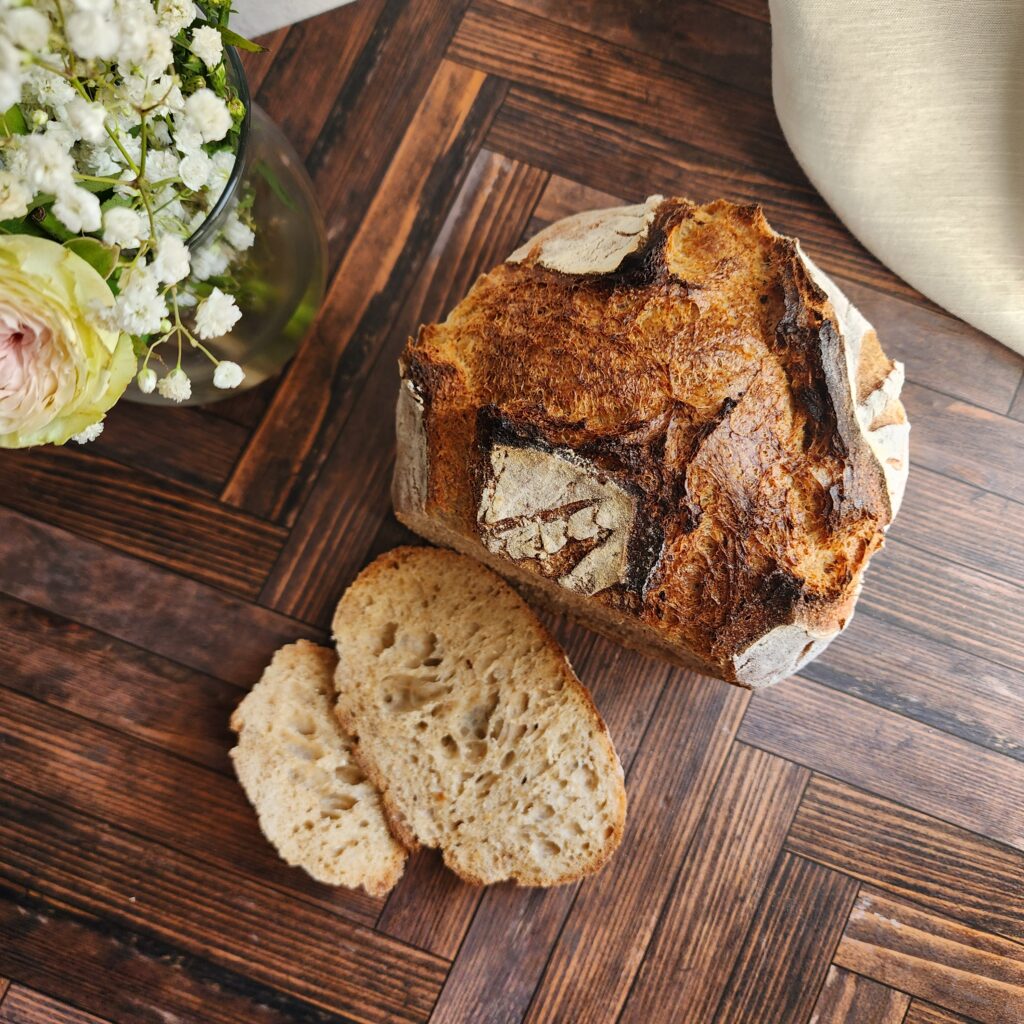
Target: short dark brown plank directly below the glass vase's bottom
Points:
x,y
191,447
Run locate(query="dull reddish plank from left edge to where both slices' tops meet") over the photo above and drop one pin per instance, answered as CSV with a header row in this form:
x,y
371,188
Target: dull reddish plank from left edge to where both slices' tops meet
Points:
x,y
180,619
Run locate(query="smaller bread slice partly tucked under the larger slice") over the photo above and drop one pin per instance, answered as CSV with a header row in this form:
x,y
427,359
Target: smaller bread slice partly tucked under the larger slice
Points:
x,y
295,763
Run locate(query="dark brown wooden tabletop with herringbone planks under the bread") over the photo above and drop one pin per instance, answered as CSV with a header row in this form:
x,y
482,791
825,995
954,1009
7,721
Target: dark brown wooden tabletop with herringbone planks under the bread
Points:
x,y
847,847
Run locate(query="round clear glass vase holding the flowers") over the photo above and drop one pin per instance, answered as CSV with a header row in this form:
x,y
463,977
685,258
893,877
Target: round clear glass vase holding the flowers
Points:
x,y
279,284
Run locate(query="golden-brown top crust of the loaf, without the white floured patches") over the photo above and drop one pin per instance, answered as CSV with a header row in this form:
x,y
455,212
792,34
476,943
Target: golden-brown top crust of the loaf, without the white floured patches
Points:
x,y
708,376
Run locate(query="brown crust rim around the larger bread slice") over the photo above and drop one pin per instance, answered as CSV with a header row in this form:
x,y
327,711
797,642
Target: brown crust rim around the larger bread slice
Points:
x,y
443,565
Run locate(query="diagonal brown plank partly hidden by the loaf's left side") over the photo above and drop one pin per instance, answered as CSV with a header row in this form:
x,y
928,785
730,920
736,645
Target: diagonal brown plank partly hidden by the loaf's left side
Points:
x,y
328,544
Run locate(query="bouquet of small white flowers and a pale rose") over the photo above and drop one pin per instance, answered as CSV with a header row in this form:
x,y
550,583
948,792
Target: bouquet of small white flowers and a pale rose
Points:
x,y
121,133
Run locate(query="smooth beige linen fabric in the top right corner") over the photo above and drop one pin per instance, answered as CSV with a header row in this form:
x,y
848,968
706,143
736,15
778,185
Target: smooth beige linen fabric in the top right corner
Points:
x,y
909,117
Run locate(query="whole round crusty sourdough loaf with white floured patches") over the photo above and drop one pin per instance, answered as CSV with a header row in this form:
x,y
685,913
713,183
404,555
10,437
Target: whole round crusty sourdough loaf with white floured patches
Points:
x,y
667,421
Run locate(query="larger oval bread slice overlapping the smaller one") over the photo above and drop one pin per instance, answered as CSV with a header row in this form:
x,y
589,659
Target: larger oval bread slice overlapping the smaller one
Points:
x,y
474,726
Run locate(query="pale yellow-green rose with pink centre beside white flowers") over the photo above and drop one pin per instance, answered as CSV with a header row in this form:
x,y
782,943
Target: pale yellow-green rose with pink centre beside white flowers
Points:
x,y
60,372
